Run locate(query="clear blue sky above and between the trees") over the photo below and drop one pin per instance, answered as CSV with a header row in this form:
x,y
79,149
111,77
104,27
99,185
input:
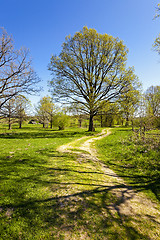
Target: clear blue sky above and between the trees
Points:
x,y
42,25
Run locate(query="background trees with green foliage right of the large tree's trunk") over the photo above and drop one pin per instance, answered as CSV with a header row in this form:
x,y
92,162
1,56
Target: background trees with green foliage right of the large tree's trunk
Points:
x,y
136,109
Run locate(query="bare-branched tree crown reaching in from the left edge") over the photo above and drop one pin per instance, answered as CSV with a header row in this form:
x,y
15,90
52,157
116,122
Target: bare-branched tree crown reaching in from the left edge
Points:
x,y
16,73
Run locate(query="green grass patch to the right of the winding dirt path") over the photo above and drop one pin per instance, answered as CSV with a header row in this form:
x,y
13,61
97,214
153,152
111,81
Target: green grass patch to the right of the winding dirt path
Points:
x,y
136,160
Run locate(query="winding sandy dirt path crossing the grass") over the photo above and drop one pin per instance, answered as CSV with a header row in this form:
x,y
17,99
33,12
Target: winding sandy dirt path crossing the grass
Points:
x,y
129,202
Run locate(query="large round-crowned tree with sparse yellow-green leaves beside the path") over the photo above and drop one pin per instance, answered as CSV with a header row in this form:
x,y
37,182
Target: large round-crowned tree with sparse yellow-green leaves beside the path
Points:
x,y
90,69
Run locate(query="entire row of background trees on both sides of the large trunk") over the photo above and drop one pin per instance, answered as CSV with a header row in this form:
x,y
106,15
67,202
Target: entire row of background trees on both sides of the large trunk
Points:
x,y
132,109
